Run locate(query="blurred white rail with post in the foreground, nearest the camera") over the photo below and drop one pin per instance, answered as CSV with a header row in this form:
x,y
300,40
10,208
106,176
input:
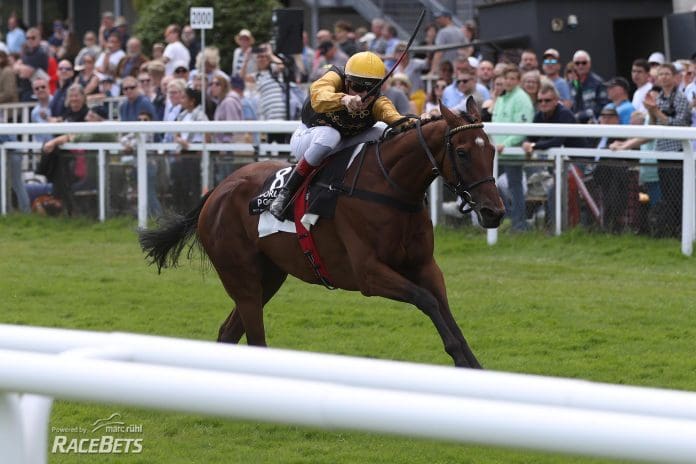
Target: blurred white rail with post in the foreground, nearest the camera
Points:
x,y
332,392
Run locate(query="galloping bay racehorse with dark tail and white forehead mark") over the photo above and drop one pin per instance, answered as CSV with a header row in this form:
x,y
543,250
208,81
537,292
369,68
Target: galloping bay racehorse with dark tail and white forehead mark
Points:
x,y
368,246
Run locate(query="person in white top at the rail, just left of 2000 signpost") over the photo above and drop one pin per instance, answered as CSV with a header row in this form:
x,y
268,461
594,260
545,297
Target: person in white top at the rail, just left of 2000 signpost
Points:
x,y
186,178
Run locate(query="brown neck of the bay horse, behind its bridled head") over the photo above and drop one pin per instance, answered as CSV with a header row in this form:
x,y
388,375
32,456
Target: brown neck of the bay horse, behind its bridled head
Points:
x,y
407,162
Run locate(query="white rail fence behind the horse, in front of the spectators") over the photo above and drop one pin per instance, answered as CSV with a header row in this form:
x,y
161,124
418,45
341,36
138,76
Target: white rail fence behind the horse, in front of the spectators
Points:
x,y
558,155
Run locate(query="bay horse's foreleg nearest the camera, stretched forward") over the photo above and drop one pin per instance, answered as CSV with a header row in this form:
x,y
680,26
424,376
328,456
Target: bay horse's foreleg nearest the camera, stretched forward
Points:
x,y
377,279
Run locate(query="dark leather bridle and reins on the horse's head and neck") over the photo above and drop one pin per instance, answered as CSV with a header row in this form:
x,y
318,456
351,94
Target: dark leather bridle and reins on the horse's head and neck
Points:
x,y
461,189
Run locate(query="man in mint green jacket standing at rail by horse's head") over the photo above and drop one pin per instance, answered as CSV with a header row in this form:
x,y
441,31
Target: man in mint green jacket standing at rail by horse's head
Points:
x,y
513,106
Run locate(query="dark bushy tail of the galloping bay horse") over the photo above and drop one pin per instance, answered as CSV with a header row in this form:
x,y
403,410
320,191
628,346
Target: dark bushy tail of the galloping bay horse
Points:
x,y
162,246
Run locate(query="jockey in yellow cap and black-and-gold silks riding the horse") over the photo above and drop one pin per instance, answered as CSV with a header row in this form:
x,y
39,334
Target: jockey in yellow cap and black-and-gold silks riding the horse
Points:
x,y
334,110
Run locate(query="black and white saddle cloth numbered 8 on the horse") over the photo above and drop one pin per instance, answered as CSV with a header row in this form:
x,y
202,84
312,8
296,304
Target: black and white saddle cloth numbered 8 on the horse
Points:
x,y
321,201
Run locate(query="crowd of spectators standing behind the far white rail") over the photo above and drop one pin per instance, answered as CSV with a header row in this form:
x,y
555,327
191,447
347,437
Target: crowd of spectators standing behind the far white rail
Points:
x,y
66,79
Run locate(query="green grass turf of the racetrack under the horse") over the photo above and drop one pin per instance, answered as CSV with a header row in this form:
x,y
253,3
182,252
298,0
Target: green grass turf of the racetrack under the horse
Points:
x,y
603,308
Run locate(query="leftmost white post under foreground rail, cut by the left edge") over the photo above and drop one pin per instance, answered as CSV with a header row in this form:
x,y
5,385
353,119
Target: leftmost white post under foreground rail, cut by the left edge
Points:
x,y
11,430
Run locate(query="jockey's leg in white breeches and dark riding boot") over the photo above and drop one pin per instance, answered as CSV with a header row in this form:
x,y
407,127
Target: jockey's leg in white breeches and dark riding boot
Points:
x,y
321,141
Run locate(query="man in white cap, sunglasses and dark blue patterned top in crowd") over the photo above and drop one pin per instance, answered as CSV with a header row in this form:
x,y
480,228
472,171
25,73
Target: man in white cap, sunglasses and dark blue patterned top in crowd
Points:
x,y
587,92
